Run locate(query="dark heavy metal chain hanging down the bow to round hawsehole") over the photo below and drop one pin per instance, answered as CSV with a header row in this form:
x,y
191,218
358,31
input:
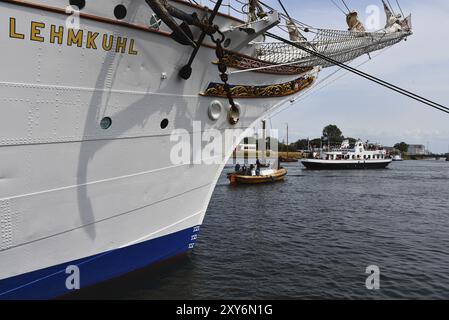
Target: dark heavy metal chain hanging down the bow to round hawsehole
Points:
x,y
222,68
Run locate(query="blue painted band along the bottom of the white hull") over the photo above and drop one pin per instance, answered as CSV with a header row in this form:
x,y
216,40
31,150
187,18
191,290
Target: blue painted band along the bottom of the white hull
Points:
x,y
51,282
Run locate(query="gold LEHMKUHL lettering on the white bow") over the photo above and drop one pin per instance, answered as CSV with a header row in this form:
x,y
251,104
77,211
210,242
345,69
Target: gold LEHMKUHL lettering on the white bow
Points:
x,y
39,32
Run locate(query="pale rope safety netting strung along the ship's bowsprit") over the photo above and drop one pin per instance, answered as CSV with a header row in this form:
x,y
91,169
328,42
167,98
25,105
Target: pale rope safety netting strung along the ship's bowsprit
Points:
x,y
342,46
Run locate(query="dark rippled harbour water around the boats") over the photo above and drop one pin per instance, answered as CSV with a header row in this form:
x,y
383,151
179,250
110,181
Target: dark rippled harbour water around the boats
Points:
x,y
312,237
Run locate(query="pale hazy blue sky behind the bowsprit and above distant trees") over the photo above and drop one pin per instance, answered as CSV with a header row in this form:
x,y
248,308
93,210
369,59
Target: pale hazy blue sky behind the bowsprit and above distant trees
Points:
x,y
362,109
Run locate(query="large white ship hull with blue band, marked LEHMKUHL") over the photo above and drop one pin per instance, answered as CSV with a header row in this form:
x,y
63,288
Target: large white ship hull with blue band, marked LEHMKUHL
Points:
x,y
74,194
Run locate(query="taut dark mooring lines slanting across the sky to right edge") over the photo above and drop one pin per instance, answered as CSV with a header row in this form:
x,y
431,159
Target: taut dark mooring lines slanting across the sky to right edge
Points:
x,y
365,75
